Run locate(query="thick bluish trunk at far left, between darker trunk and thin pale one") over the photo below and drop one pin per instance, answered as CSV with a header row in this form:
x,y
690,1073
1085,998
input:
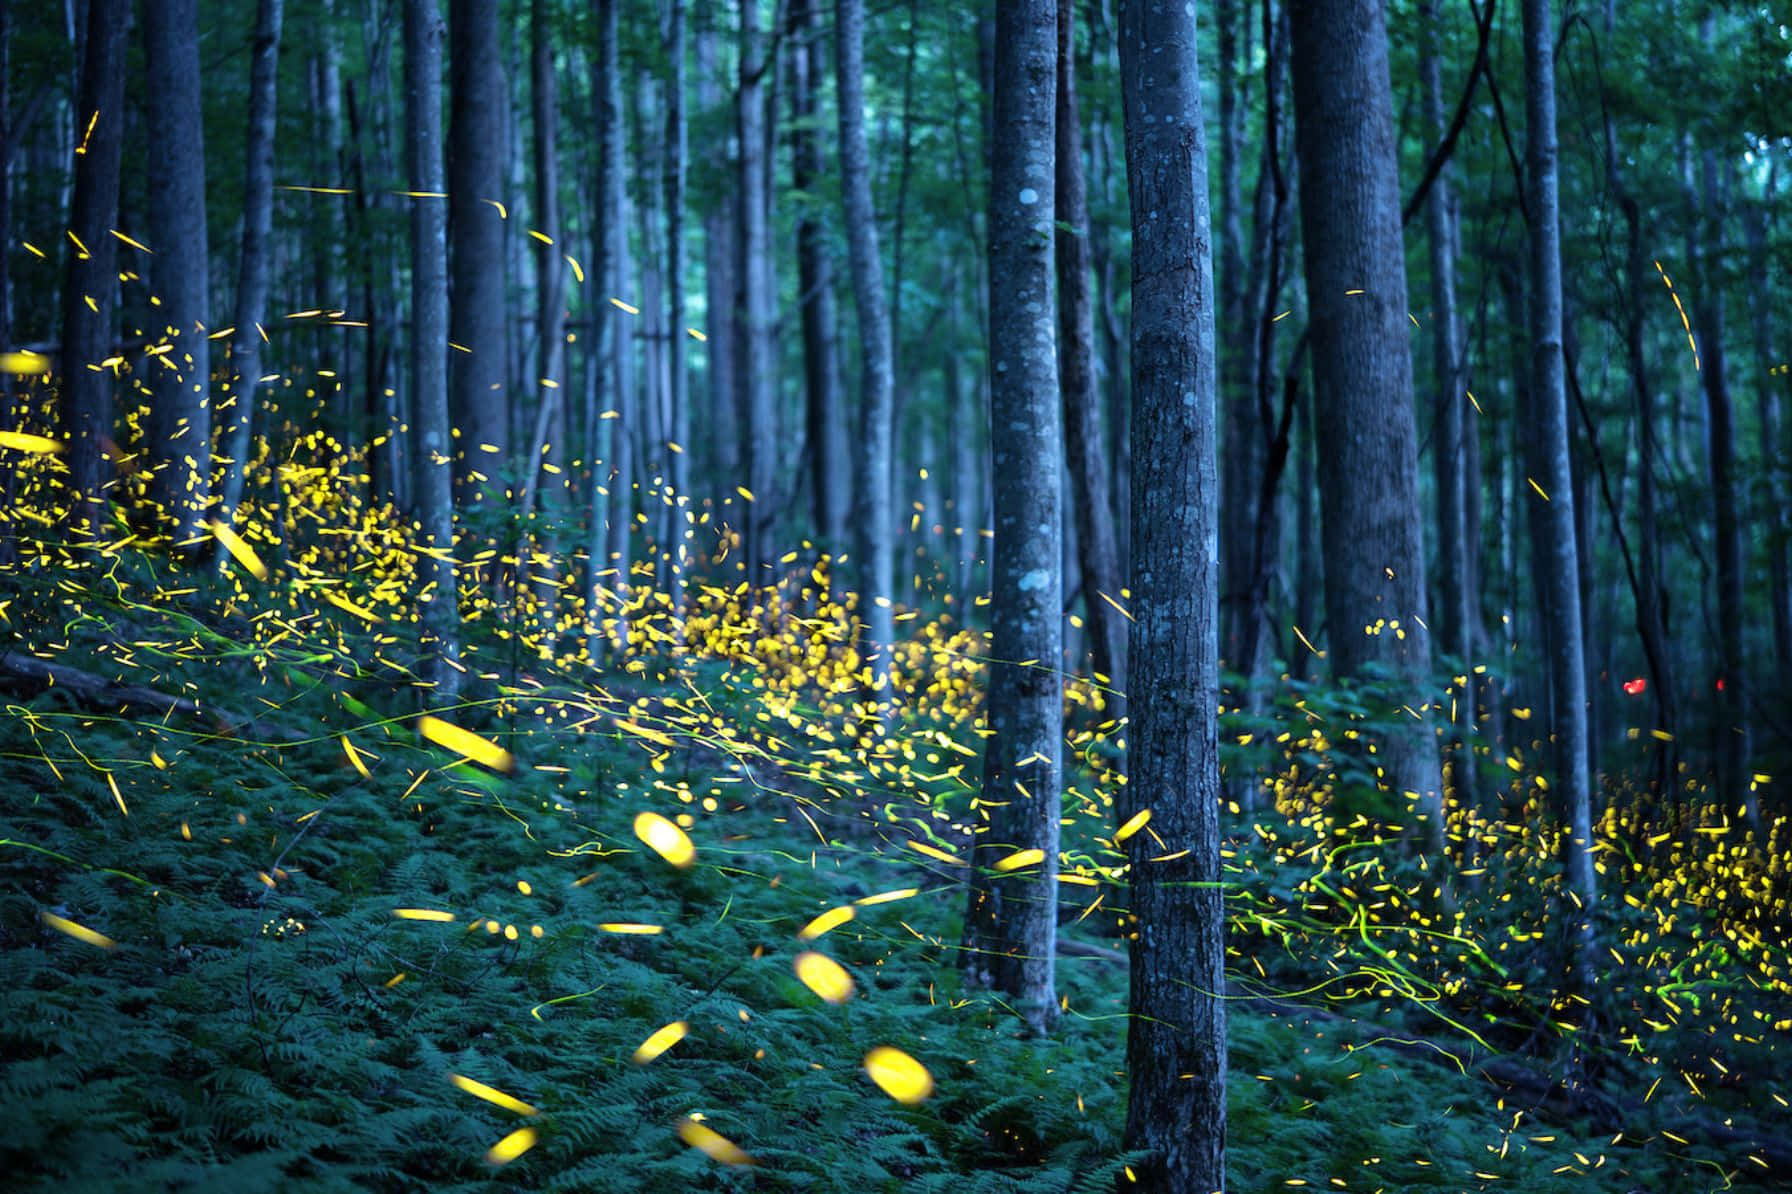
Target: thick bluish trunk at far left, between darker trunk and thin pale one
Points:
x,y
182,377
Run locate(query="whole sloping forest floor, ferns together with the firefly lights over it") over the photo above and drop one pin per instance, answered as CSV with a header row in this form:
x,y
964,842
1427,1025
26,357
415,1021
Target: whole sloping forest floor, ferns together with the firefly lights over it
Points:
x,y
263,928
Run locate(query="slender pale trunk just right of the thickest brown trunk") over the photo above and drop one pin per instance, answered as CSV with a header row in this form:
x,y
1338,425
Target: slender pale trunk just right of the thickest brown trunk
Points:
x,y
1551,433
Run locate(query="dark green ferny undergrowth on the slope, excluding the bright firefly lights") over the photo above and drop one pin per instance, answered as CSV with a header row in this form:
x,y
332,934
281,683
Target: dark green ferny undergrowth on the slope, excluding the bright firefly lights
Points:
x,y
266,1023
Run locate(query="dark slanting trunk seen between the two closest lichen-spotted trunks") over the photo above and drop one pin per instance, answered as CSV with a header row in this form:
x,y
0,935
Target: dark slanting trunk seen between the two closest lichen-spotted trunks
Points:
x,y
1098,555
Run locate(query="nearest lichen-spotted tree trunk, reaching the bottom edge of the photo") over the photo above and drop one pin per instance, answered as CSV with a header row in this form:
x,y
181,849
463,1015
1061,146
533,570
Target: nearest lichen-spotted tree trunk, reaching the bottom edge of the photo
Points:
x,y
1176,1032
